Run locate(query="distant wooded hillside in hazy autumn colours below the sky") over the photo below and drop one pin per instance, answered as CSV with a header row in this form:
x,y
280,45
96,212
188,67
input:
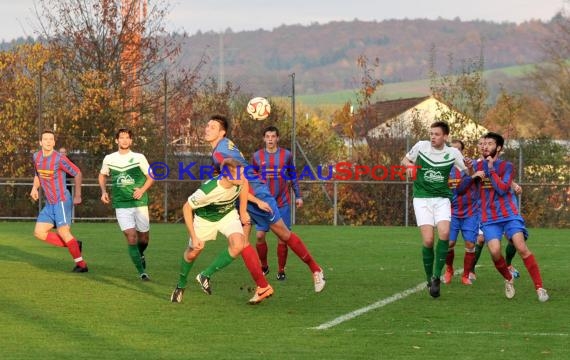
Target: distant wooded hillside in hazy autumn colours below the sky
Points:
x,y
323,57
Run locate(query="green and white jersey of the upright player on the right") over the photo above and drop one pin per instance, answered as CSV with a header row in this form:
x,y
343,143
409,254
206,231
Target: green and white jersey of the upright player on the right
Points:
x,y
433,176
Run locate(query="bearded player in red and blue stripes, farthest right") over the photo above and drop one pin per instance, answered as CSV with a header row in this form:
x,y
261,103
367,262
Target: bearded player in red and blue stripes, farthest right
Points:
x,y
500,214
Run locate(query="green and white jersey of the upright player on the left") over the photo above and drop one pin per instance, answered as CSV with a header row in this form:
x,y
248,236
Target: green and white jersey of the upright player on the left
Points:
x,y
127,172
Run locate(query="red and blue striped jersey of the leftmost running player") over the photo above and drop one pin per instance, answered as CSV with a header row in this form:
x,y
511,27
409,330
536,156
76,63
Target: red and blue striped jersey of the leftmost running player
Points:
x,y
52,170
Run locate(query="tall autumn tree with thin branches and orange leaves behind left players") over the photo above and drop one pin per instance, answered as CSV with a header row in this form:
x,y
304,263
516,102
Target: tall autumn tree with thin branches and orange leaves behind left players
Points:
x,y
109,52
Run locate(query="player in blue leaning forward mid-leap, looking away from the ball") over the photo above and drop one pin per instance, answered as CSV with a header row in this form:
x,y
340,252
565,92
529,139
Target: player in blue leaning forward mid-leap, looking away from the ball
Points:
x,y
260,200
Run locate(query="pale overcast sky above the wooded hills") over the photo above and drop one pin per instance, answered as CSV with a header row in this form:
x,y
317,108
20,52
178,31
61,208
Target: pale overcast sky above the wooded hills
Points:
x,y
218,15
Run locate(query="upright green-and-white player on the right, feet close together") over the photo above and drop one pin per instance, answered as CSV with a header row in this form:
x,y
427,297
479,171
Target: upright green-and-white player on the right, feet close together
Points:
x,y
434,161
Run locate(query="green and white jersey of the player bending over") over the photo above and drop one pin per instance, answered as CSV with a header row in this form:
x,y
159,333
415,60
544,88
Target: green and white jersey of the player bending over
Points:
x,y
212,201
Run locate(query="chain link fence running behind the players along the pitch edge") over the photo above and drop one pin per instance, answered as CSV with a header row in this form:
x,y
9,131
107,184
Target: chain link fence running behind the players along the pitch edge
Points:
x,y
542,169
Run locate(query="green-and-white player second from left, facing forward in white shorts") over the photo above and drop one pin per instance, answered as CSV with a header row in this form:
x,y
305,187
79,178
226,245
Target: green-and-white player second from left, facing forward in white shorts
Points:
x,y
130,179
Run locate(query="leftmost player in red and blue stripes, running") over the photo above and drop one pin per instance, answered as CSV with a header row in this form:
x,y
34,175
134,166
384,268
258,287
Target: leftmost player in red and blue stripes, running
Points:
x,y
50,173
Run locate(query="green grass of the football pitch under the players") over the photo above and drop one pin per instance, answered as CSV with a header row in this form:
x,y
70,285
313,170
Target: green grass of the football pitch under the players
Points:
x,y
46,312
